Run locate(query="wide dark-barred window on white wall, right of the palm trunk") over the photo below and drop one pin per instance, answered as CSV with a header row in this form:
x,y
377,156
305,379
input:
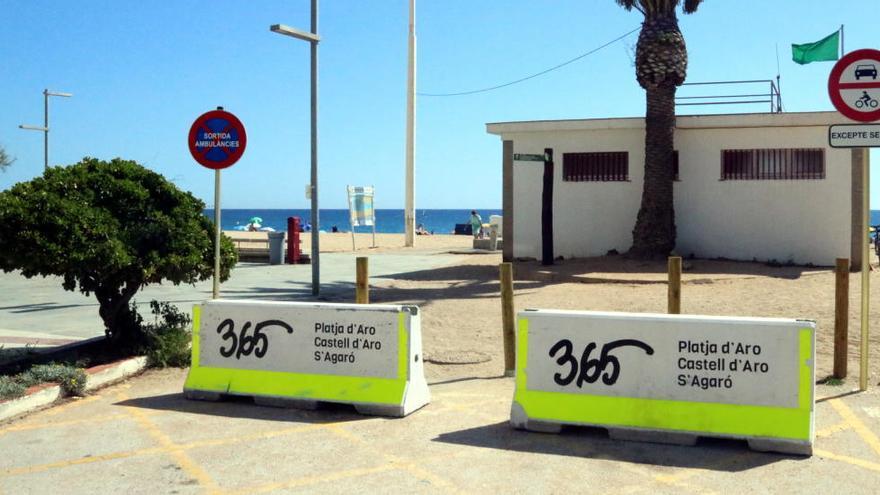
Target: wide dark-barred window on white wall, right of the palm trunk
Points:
x,y
773,164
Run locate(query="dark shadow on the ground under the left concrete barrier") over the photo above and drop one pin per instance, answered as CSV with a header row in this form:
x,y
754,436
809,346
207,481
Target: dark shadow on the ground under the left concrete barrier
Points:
x,y
244,408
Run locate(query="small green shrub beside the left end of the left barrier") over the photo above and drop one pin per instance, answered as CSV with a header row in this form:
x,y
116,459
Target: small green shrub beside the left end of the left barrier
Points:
x,y
168,337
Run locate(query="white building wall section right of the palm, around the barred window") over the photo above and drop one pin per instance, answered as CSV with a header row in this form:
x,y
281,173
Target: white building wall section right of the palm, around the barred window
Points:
x,y
805,221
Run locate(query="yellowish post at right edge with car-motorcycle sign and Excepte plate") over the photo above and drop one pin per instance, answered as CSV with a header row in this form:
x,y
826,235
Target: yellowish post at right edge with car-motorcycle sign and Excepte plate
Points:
x,y
854,89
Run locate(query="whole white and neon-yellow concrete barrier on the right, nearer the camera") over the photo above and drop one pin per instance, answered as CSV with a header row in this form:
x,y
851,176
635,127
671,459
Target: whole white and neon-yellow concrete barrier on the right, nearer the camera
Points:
x,y
668,378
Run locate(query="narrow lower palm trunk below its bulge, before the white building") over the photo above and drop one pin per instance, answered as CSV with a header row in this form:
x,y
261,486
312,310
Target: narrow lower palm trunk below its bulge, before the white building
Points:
x,y
654,233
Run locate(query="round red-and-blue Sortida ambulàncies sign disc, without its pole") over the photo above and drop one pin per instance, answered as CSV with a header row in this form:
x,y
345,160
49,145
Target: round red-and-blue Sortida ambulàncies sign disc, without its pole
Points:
x,y
217,139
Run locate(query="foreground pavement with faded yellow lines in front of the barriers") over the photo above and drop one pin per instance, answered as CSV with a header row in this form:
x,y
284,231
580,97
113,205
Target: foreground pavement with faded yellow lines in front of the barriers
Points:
x,y
144,437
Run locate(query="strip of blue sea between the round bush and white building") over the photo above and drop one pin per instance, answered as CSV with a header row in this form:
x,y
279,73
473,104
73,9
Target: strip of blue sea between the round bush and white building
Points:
x,y
388,221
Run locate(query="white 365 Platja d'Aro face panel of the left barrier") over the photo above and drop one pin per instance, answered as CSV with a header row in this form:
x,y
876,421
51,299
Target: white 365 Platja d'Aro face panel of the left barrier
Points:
x,y
343,340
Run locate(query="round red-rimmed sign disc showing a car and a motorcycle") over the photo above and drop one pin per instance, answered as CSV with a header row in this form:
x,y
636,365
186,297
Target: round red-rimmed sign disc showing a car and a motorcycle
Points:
x,y
854,85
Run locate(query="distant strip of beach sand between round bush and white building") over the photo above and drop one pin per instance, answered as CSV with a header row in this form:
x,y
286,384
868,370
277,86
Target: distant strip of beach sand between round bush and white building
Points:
x,y
341,242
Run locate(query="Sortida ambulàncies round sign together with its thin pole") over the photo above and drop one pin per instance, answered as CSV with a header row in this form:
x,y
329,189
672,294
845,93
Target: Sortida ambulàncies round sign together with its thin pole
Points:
x,y
217,140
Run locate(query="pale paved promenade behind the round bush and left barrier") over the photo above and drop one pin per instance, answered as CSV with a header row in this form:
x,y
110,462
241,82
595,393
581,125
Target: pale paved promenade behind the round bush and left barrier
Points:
x,y
39,311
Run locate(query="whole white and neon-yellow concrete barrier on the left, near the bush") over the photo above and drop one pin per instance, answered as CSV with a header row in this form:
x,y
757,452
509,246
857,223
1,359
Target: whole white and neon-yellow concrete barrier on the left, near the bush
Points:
x,y
304,353
